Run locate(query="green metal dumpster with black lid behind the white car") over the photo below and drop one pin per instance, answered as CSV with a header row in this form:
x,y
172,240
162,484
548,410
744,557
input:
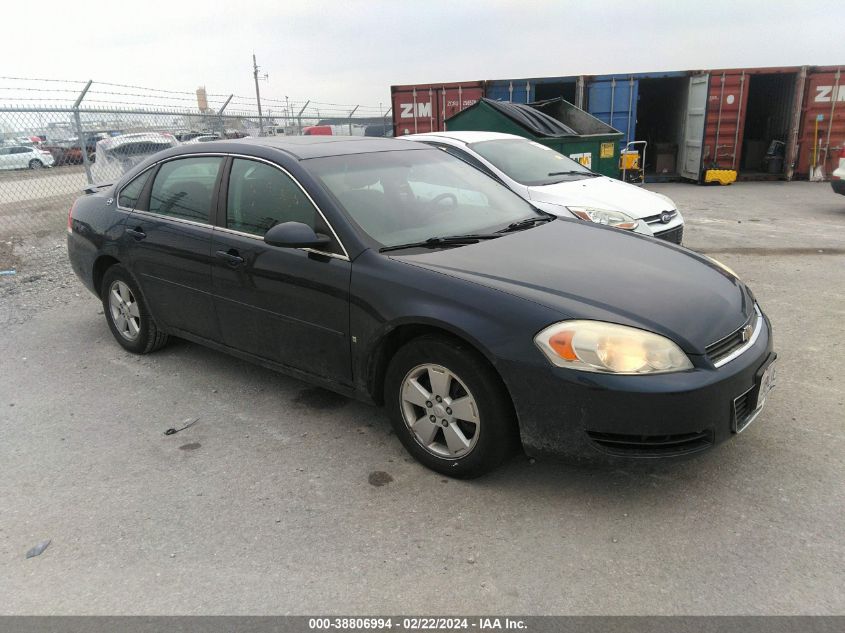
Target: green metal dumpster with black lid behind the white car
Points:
x,y
555,123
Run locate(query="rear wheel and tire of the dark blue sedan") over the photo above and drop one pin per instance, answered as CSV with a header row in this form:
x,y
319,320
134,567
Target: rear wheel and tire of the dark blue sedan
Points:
x,y
127,315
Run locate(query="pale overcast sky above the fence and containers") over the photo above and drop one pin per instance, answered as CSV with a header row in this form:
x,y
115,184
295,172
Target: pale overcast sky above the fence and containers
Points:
x,y
351,52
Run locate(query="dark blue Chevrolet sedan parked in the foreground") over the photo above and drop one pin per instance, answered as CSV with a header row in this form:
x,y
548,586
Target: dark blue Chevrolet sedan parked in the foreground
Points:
x,y
393,272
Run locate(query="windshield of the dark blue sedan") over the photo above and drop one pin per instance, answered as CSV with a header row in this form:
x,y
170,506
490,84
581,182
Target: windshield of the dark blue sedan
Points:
x,y
401,197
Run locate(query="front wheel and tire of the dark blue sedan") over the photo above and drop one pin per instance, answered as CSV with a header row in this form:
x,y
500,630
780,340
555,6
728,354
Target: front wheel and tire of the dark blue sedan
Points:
x,y
449,408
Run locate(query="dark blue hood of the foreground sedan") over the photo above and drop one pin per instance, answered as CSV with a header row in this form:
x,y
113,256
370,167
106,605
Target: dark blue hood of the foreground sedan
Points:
x,y
587,271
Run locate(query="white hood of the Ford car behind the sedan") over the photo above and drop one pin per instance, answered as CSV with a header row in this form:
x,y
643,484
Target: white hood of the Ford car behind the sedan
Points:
x,y
603,193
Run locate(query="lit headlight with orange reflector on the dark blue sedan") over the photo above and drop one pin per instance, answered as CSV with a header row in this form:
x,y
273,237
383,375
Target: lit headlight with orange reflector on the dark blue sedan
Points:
x,y
607,347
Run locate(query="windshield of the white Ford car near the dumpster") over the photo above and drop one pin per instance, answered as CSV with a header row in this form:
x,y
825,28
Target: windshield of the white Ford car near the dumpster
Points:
x,y
530,163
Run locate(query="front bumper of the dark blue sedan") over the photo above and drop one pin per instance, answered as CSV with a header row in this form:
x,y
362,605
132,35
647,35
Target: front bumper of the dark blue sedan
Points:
x,y
581,414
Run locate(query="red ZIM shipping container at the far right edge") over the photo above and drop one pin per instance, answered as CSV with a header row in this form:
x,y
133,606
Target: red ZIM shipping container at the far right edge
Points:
x,y
824,103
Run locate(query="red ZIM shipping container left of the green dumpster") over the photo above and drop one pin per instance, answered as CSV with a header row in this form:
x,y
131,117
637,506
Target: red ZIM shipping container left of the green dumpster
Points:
x,y
425,107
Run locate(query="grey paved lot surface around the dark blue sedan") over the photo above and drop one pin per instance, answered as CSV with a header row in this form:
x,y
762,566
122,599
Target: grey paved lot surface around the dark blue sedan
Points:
x,y
265,505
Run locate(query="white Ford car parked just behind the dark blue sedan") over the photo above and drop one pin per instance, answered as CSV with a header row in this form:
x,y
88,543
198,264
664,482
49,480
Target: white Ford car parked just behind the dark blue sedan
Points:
x,y
557,184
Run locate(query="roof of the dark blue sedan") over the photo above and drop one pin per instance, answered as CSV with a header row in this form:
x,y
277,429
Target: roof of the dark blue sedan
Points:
x,y
304,147
